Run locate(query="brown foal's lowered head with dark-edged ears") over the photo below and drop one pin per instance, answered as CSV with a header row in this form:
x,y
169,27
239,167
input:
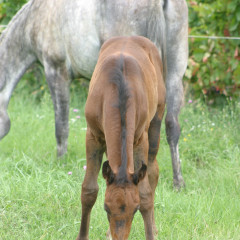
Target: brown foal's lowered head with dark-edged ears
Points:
x,y
121,200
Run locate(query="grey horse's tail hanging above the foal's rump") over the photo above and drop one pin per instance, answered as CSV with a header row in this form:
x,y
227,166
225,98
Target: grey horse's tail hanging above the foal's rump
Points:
x,y
156,30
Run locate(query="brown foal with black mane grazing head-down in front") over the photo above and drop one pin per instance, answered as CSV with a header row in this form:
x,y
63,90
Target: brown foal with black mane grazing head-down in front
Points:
x,y
124,110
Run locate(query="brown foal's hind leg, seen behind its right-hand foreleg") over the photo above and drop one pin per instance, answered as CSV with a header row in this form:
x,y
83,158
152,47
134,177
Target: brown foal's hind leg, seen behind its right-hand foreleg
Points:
x,y
153,169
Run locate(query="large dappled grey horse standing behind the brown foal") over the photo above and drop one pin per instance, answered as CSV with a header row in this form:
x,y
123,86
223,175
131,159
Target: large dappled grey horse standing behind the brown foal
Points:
x,y
65,36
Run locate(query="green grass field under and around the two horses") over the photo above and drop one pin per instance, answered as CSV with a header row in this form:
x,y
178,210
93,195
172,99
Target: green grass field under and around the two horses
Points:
x,y
40,199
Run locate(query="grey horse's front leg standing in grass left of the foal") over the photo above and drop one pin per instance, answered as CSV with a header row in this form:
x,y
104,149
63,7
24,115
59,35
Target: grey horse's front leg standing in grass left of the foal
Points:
x,y
58,81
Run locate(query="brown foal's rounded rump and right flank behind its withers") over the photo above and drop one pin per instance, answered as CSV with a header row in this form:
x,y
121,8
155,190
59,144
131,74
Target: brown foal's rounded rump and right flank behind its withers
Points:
x,y
143,68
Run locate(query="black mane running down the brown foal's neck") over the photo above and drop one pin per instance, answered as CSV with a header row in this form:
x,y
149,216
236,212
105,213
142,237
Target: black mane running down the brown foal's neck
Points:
x,y
118,79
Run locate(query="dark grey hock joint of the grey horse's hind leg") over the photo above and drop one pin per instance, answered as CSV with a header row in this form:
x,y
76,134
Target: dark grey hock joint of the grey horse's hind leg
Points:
x,y
172,128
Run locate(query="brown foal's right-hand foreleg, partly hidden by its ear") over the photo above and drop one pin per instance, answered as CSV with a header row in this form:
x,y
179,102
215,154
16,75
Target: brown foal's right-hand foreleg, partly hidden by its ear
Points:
x,y
145,192
